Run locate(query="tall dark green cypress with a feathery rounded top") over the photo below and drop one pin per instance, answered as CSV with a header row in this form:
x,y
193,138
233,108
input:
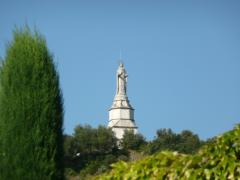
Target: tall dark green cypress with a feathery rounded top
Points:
x,y
31,111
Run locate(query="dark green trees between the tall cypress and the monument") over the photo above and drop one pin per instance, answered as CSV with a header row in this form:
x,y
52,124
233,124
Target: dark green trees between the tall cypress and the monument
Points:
x,y
91,150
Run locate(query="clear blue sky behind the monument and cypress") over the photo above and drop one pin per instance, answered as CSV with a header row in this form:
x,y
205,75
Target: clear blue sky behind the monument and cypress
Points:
x,y
182,57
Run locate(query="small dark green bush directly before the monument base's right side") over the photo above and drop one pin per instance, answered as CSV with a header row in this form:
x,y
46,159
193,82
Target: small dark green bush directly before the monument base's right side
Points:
x,y
132,141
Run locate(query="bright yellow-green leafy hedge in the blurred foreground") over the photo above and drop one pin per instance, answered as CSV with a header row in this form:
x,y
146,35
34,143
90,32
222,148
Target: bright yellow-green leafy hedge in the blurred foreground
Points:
x,y
218,160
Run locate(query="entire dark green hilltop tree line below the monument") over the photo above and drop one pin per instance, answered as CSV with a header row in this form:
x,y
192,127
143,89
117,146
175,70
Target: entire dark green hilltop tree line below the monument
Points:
x,y
91,151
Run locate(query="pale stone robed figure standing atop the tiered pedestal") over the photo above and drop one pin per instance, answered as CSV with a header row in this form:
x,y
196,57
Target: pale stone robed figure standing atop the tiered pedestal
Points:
x,y
121,80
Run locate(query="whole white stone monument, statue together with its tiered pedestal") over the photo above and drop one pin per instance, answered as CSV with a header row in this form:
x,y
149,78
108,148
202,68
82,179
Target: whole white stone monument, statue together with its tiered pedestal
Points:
x,y
121,114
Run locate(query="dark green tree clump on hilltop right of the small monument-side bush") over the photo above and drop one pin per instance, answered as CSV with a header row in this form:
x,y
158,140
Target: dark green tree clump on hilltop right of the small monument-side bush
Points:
x,y
185,142
